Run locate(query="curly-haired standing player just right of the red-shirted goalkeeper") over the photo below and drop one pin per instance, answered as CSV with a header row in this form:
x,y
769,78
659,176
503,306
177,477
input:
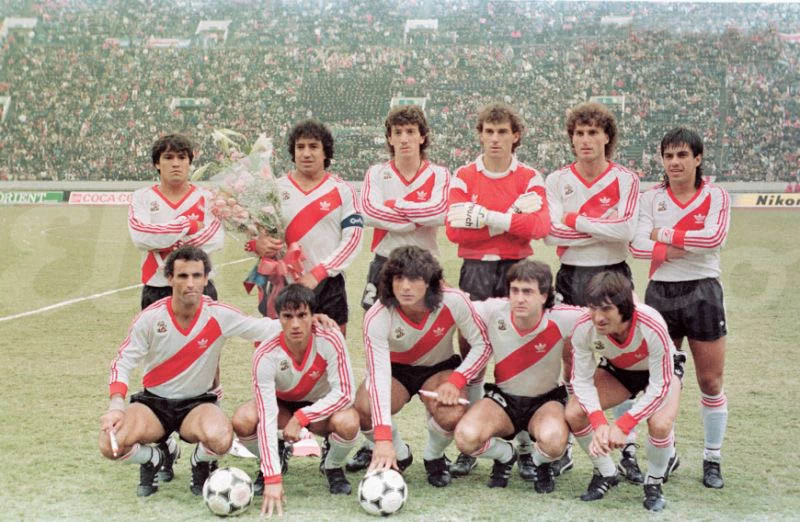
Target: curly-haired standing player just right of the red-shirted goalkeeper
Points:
x,y
593,211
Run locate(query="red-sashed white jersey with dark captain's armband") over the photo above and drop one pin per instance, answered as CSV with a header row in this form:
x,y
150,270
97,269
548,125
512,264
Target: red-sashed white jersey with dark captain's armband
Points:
x,y
325,222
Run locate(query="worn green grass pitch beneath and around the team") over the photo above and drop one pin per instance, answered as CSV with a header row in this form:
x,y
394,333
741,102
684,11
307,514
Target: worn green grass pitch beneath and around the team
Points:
x,y
55,372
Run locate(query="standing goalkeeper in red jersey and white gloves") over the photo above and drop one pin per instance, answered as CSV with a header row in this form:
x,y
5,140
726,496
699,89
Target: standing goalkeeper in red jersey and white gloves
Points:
x,y
496,206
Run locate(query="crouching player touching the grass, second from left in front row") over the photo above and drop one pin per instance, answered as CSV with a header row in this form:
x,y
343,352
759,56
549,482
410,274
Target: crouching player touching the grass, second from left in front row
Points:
x,y
302,379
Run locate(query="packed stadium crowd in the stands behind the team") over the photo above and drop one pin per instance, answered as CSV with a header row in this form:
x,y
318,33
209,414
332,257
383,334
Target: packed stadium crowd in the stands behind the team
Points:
x,y
90,88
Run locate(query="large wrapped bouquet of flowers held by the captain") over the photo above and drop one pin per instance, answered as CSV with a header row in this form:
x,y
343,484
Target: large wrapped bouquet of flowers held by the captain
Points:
x,y
247,202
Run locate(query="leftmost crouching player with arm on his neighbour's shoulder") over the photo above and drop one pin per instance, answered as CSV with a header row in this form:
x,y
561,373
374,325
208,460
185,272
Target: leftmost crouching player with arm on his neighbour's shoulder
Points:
x,y
179,339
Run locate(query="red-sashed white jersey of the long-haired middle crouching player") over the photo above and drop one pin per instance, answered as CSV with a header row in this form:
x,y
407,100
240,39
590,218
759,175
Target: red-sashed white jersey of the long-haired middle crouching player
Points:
x,y
390,337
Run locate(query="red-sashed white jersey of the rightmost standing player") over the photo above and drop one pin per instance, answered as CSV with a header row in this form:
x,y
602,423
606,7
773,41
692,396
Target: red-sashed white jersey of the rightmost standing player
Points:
x,y
699,226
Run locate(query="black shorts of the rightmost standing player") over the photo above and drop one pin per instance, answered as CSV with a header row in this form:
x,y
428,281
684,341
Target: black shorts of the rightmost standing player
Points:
x,y
692,309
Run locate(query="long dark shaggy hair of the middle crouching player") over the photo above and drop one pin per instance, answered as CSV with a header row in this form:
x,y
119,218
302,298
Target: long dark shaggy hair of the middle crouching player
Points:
x,y
412,262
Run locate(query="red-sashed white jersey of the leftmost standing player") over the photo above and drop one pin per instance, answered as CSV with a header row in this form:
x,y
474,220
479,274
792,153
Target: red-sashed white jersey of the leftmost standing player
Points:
x,y
158,226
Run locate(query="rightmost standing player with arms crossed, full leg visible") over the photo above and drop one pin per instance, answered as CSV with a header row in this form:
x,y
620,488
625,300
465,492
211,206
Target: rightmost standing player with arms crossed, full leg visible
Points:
x,y
682,227
